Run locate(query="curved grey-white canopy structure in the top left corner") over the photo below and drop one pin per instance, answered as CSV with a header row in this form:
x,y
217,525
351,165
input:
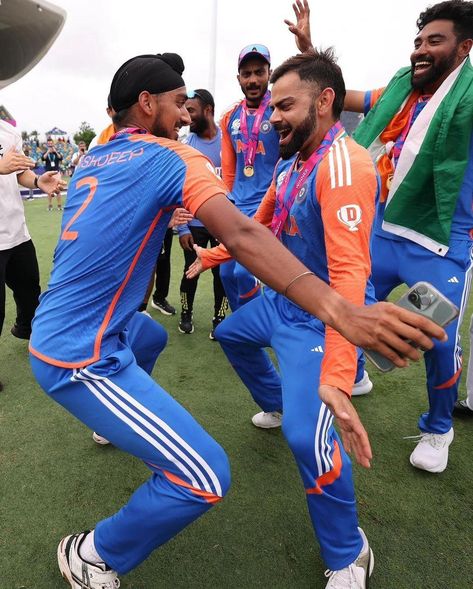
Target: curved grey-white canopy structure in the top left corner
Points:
x,y
28,28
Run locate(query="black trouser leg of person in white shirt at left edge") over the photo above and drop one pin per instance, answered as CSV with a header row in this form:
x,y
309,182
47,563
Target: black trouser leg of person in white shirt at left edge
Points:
x,y
22,276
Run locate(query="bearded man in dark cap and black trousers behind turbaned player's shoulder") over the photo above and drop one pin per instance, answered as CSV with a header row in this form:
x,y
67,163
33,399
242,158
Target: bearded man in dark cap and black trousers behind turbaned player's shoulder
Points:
x,y
206,137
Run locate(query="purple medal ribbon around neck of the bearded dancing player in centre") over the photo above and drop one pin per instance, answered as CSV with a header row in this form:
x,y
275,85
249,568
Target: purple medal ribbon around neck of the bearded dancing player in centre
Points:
x,y
283,205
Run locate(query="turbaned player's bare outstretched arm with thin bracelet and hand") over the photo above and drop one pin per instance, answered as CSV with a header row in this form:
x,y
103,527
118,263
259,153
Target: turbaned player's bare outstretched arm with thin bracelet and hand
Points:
x,y
383,327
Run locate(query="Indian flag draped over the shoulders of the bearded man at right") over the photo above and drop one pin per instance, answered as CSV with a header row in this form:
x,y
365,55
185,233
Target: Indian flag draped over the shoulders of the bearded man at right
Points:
x,y
422,191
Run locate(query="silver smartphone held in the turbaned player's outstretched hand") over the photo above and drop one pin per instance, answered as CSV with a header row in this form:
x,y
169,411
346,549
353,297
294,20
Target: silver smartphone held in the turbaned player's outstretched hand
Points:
x,y
426,300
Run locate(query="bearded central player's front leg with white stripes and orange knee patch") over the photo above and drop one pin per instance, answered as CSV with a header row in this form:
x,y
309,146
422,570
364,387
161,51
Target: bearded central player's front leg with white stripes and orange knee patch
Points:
x,y
323,463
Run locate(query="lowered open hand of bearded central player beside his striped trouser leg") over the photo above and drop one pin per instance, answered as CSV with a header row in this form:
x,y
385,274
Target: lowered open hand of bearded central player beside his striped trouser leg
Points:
x,y
354,436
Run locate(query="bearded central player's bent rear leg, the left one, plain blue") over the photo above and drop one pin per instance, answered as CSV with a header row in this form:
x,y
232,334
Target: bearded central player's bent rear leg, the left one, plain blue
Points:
x,y
243,337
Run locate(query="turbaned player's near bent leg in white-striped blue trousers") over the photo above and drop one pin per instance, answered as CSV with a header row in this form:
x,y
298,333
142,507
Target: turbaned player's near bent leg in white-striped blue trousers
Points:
x,y
190,471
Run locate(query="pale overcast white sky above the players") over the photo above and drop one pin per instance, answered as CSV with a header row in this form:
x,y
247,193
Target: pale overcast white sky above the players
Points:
x,y
372,39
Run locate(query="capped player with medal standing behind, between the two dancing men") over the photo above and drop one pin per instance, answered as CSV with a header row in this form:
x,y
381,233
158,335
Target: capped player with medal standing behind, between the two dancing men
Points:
x,y
249,154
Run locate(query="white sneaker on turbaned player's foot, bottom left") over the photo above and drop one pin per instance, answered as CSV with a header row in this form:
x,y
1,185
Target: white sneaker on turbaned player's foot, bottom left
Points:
x,y
79,573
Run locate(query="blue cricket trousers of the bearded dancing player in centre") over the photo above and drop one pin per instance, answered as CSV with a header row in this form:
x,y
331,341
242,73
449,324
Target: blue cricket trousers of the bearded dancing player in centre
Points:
x,y
298,338
